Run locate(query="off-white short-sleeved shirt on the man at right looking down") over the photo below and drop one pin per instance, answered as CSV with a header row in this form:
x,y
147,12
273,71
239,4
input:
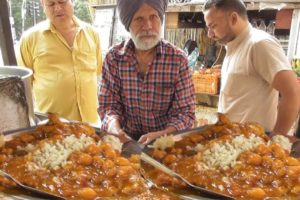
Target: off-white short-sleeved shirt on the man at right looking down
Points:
x,y
251,63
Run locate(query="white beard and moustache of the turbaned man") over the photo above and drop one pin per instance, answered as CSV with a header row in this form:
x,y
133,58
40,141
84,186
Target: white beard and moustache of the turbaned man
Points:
x,y
145,44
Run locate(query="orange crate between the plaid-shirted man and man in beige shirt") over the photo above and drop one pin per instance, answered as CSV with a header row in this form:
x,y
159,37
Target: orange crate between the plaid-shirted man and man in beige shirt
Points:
x,y
206,83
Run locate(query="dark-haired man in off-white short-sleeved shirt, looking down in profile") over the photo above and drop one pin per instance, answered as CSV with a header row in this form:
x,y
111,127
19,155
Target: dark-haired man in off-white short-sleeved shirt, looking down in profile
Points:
x,y
254,72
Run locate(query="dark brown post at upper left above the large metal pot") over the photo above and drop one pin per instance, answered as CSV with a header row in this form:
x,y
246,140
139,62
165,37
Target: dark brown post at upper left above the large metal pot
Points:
x,y
6,41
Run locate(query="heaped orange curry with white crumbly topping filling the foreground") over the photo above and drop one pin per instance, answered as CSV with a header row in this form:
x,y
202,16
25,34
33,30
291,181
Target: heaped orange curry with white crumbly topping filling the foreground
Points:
x,y
72,160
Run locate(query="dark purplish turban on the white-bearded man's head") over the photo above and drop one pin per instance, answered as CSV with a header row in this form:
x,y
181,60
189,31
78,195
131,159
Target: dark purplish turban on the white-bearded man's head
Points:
x,y
127,9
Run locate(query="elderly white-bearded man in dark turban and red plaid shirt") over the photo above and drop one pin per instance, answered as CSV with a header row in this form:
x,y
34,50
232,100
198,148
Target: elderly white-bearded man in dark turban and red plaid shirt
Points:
x,y
146,88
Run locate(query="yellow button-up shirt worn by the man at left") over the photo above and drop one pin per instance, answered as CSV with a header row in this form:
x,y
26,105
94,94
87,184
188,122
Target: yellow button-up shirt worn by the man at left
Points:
x,y
64,78
